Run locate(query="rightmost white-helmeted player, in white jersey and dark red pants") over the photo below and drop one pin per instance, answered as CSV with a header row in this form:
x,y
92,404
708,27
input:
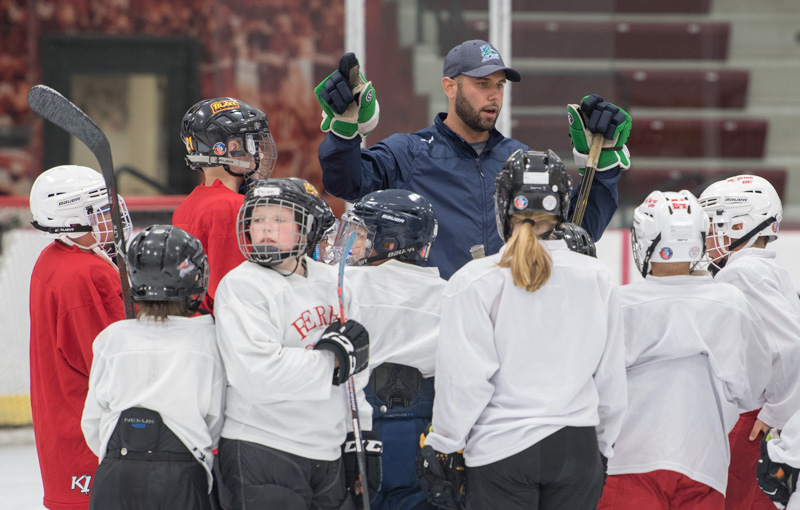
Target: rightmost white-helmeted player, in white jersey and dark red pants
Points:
x,y
745,212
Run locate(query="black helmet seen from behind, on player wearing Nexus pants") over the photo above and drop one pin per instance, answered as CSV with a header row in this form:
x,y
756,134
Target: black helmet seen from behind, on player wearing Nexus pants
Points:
x,y
167,264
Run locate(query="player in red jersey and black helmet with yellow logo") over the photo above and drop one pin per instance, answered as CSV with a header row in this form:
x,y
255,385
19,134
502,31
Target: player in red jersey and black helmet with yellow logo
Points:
x,y
229,143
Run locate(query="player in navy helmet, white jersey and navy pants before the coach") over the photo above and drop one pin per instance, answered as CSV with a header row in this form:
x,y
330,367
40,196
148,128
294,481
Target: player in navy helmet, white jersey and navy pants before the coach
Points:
x,y
395,229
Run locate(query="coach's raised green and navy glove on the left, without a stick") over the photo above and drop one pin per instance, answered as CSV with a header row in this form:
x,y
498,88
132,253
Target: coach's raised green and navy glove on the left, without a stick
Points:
x,y
349,104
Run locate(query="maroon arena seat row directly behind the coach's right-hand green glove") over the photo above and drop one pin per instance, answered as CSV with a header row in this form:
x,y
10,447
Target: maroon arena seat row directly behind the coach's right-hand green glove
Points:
x,y
670,138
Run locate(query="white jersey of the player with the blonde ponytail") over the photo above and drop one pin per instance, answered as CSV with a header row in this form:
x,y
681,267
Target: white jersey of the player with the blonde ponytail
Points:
x,y
514,367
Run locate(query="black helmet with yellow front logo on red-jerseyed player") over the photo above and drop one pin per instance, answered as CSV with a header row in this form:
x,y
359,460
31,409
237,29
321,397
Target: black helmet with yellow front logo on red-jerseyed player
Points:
x,y
210,125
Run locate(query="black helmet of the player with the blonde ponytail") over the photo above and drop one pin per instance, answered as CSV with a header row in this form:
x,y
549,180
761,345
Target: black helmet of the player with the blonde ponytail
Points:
x,y
531,181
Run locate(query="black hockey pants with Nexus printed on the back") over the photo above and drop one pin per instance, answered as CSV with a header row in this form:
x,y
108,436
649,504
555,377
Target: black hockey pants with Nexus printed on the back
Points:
x,y
147,466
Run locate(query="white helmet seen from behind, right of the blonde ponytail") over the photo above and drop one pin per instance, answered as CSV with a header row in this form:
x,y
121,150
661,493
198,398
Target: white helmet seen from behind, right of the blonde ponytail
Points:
x,y
668,227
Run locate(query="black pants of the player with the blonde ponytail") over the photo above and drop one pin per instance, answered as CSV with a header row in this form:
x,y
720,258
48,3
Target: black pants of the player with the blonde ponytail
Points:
x,y
563,471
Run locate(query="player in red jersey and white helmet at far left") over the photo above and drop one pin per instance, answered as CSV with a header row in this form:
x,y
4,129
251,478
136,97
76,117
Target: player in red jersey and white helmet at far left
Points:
x,y
75,293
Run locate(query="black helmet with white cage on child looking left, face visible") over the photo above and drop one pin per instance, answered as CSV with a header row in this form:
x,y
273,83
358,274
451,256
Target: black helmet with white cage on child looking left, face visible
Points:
x,y
280,219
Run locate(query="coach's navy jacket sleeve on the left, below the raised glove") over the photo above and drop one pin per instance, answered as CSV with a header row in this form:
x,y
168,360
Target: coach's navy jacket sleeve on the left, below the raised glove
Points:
x,y
349,172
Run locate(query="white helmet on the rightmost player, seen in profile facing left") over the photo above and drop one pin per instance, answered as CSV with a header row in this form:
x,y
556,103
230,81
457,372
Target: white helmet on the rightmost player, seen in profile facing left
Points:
x,y
741,208
